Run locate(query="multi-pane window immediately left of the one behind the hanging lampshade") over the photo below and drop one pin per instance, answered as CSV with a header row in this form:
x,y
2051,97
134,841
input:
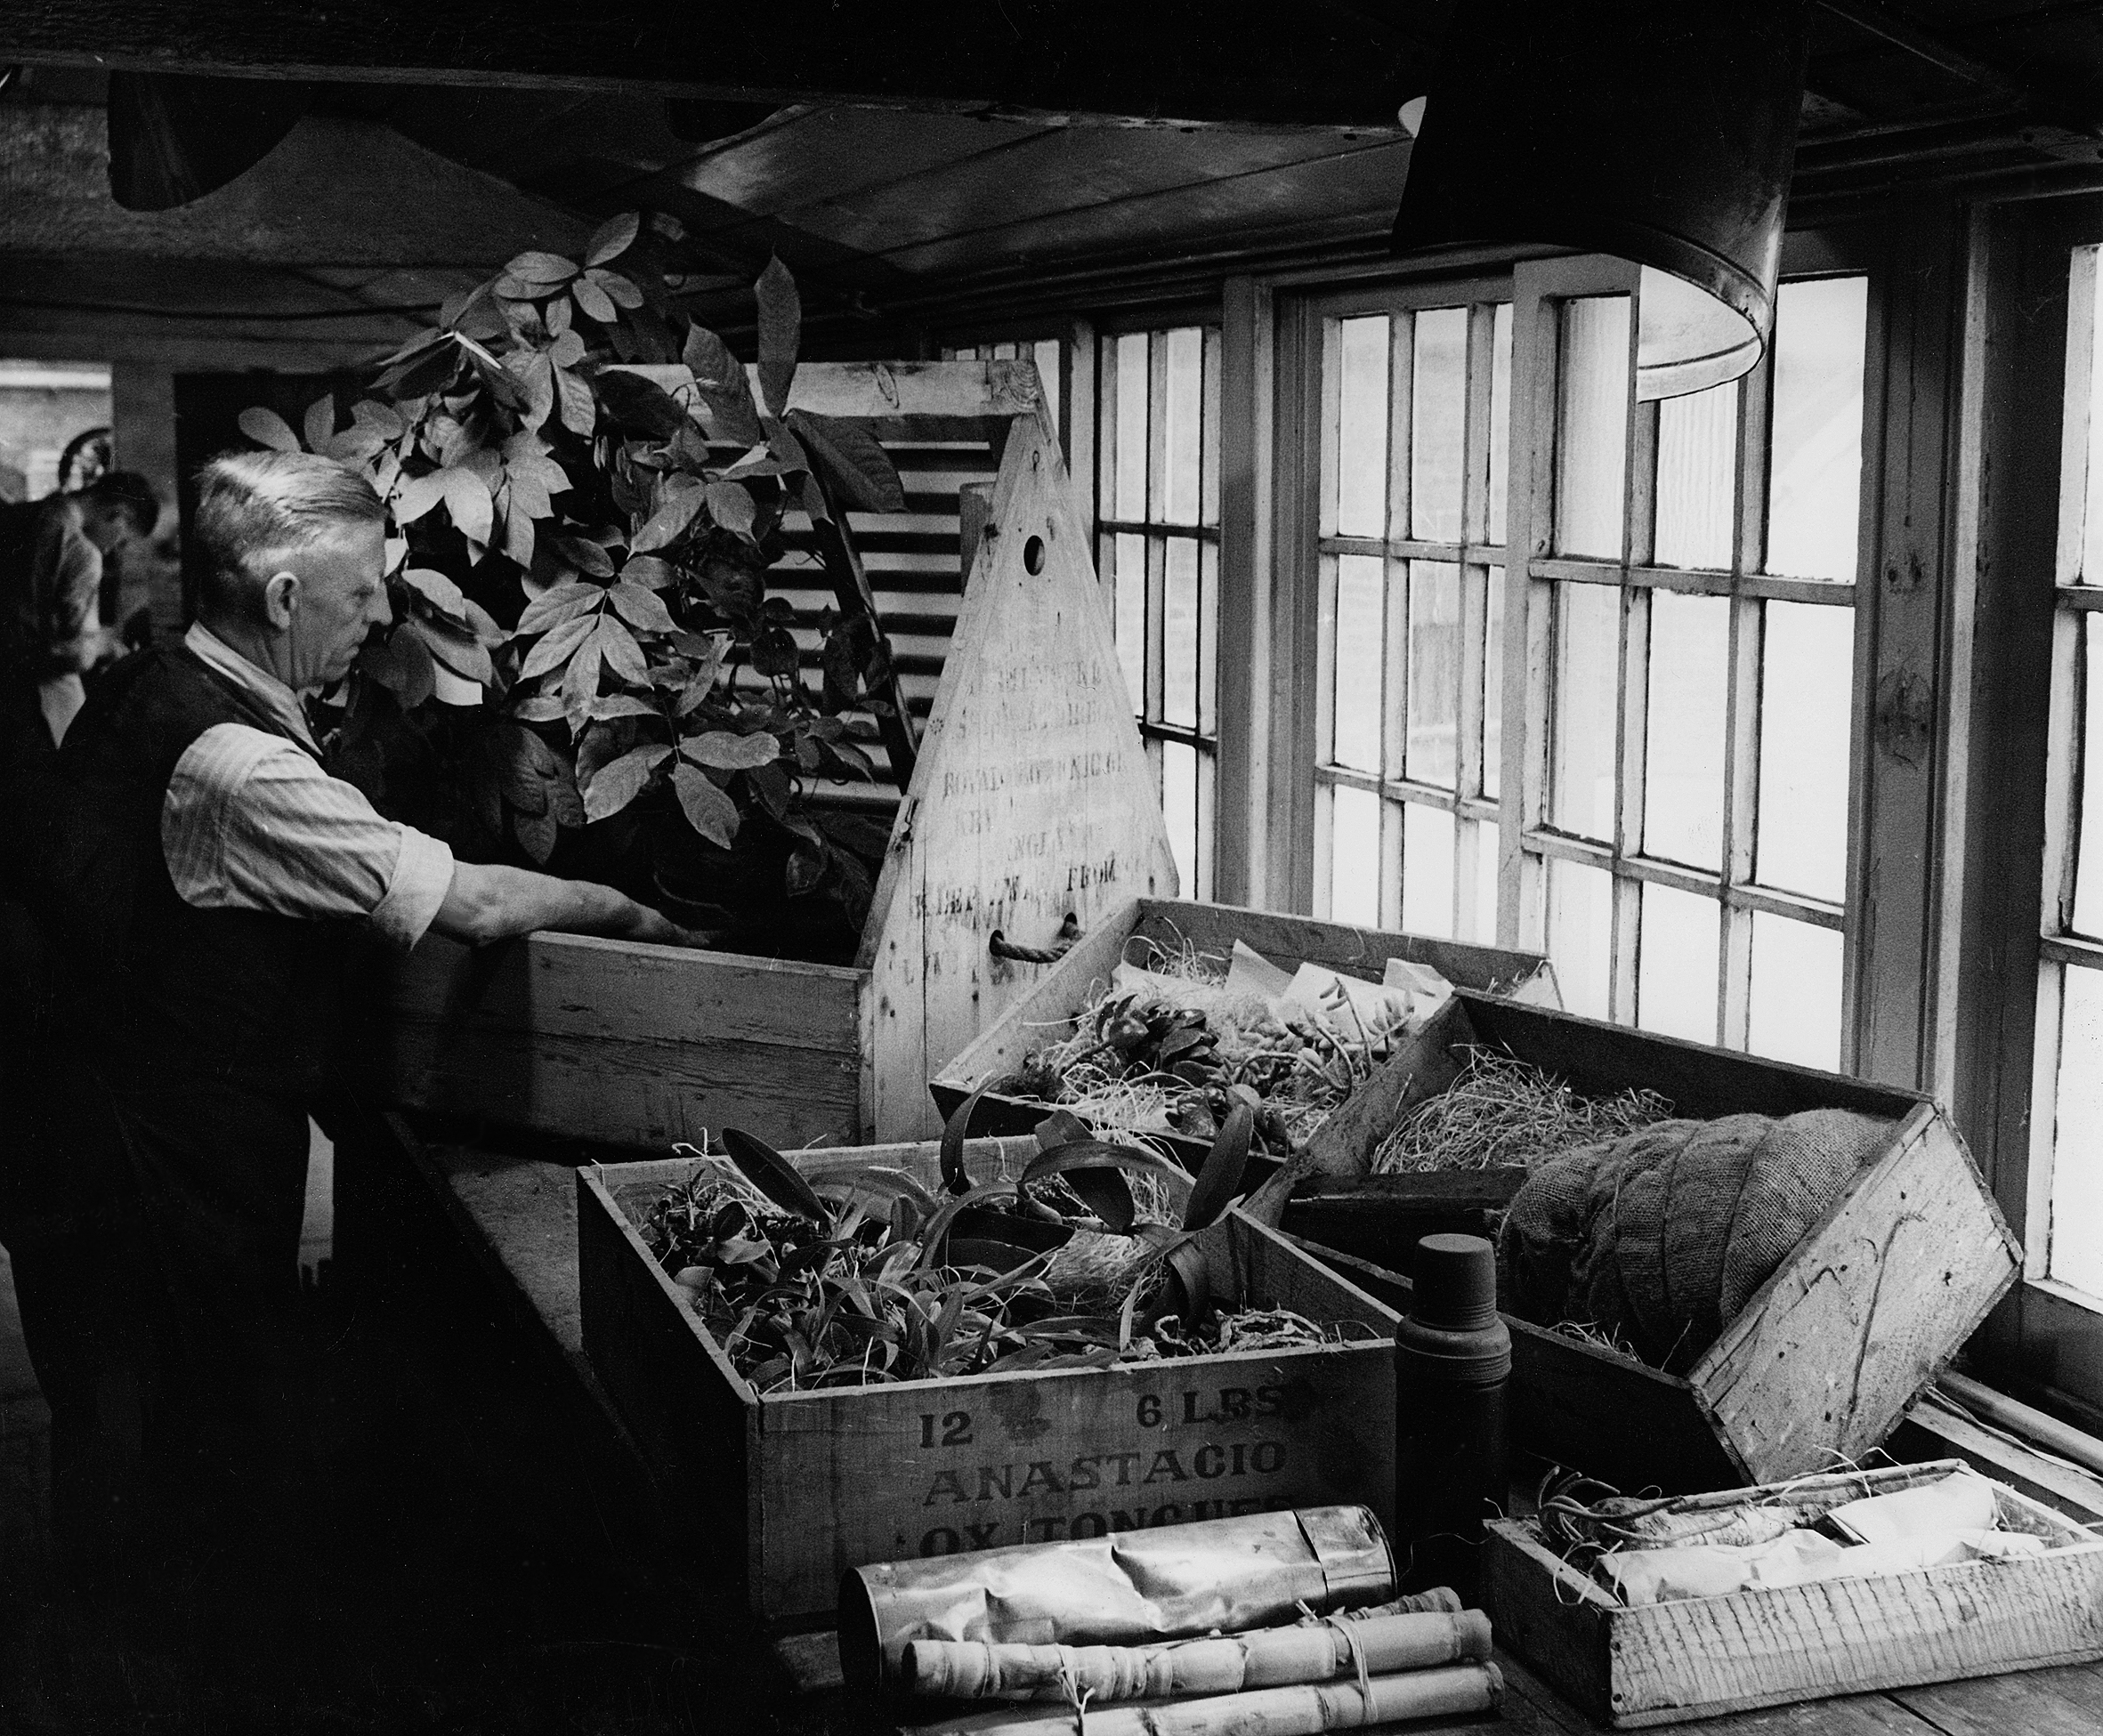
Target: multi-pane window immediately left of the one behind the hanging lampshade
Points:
x,y
1414,487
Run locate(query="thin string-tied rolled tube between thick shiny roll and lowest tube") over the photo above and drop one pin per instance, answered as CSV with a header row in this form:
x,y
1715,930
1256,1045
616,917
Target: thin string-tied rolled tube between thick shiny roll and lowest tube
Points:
x,y
973,1670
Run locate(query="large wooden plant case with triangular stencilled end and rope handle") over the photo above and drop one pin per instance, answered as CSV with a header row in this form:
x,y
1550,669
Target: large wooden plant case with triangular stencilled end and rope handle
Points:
x,y
1029,804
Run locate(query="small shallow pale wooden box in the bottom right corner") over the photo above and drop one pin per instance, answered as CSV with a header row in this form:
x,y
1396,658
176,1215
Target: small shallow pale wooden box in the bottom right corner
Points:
x,y
1702,1657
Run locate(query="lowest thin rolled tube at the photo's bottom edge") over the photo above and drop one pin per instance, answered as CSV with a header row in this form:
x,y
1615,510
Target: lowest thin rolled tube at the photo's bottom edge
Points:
x,y
1305,1710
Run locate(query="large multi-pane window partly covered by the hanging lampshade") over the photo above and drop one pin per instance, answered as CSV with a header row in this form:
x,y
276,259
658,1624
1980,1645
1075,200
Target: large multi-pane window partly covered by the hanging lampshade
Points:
x,y
1690,627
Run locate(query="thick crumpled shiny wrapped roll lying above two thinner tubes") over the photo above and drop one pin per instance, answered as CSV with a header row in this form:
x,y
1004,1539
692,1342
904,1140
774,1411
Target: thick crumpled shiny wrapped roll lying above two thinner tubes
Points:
x,y
1120,1590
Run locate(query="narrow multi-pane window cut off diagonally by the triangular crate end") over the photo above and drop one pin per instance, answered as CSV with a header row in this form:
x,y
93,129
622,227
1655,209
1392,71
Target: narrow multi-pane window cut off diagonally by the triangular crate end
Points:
x,y
1158,524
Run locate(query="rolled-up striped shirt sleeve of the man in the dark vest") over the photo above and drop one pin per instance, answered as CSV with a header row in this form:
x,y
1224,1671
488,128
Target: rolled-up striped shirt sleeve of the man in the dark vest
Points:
x,y
253,823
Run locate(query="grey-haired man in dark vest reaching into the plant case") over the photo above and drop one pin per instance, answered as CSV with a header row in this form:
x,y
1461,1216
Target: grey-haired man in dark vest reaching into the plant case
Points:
x,y
205,880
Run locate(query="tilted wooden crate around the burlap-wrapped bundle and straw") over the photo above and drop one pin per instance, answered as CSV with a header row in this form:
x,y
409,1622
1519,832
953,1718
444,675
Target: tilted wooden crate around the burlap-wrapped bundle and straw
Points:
x,y
1824,1359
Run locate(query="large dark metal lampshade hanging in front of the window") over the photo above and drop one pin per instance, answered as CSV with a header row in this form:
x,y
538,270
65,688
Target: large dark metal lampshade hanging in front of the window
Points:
x,y
1660,131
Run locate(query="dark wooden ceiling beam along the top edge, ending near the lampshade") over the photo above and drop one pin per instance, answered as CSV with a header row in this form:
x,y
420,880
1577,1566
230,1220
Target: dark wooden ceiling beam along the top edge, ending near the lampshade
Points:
x,y
1172,62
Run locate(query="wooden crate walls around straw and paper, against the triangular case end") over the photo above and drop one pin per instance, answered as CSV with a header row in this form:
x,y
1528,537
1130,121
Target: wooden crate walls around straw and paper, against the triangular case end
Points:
x,y
1053,1008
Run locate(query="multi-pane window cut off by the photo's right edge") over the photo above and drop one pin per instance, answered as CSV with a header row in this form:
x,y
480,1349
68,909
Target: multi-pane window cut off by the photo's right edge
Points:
x,y
2066,1205
